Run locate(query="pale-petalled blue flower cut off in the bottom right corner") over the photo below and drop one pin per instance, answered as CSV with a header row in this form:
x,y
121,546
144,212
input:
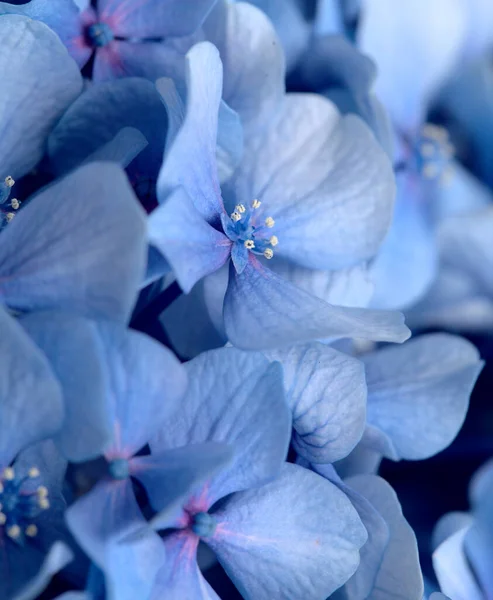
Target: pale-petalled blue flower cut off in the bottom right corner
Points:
x,y
464,544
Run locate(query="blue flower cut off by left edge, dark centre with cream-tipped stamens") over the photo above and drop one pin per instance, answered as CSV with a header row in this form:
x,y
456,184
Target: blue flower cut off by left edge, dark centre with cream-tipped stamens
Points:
x,y
31,409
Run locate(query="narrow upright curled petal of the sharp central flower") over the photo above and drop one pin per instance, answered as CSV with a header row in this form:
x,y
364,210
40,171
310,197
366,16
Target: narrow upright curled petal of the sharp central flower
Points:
x,y
191,160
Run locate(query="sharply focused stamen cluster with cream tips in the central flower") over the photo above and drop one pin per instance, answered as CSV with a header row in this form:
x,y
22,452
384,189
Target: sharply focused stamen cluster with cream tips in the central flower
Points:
x,y
250,228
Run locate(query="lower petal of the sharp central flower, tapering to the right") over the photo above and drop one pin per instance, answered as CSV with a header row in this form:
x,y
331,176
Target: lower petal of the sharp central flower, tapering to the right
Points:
x,y
262,311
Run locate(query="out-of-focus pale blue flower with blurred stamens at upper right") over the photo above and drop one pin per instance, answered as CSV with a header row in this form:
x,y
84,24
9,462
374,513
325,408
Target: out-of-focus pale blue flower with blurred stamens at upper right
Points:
x,y
407,83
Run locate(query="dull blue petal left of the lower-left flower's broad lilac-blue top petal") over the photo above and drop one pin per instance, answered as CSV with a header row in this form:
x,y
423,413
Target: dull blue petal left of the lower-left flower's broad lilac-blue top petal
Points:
x,y
76,360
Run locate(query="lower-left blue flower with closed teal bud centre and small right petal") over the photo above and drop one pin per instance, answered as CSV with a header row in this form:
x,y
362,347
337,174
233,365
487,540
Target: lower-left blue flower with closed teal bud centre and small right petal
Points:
x,y
126,397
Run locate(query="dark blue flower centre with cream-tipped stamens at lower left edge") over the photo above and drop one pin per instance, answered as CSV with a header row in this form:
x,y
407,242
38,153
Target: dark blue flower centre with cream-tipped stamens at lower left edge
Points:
x,y
18,505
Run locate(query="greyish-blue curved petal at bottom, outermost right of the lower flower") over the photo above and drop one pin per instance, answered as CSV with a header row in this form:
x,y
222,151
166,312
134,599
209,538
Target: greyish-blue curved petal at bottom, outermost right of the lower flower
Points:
x,y
399,574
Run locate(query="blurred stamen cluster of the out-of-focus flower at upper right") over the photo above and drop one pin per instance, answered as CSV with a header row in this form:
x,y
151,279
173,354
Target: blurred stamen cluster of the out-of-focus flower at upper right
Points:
x,y
433,153
